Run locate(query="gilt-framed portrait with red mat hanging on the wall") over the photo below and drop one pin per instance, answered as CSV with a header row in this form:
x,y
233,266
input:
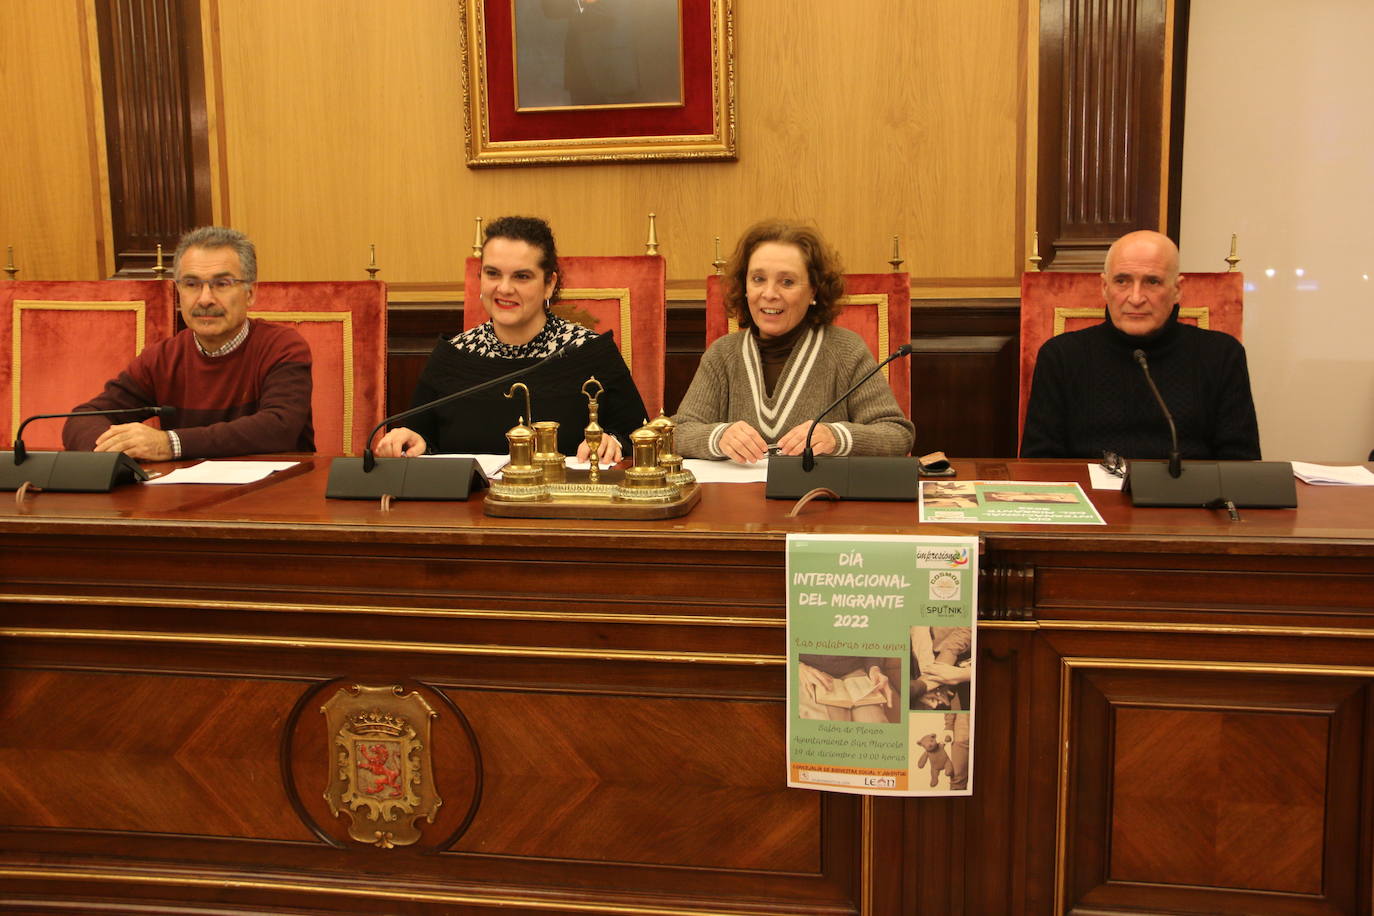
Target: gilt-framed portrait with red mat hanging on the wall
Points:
x,y
550,82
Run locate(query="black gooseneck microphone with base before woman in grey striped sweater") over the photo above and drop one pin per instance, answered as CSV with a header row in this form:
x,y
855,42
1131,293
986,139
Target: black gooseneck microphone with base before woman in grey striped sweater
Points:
x,y
858,479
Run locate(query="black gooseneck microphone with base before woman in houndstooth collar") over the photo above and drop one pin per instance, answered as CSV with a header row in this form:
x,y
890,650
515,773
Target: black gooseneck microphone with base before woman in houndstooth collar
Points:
x,y
444,479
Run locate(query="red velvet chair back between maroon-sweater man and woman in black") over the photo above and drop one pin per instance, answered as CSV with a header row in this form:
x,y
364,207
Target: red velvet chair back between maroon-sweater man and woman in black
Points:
x,y
346,325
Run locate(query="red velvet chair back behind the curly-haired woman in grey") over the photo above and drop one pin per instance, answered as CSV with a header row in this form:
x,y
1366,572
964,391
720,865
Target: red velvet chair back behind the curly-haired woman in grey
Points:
x,y
877,307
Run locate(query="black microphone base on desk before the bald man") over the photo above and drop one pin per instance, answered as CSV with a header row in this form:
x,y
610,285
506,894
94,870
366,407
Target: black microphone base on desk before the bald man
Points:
x,y
1265,485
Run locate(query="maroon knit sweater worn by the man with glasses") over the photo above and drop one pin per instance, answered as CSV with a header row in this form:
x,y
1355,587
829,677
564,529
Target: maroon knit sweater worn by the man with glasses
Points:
x,y
255,400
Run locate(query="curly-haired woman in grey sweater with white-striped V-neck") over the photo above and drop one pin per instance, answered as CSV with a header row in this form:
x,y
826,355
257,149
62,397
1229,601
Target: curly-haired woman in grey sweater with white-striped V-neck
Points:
x,y
761,388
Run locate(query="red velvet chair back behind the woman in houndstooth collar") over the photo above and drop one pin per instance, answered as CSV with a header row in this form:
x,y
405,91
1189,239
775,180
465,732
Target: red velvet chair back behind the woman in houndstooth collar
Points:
x,y
626,296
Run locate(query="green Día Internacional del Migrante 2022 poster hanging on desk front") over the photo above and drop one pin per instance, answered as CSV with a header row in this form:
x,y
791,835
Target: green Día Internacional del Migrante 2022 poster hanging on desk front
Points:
x,y
881,650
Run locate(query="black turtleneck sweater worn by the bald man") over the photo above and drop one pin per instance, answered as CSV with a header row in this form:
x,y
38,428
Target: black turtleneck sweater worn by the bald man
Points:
x,y
1090,396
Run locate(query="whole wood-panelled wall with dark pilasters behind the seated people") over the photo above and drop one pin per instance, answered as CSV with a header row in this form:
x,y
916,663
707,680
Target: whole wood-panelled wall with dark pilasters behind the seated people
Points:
x,y
336,124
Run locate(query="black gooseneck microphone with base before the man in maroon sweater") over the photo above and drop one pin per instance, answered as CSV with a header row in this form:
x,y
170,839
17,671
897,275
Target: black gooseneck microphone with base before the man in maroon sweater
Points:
x,y
75,472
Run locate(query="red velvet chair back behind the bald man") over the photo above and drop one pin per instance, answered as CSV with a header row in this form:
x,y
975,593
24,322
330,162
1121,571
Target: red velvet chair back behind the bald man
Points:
x,y
1053,303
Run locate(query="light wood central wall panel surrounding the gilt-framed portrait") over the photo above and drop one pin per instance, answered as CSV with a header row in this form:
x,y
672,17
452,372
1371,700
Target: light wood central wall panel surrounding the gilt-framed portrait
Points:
x,y
343,127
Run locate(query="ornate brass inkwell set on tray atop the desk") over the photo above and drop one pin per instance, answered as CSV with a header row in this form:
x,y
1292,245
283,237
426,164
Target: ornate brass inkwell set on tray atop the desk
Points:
x,y
539,484
